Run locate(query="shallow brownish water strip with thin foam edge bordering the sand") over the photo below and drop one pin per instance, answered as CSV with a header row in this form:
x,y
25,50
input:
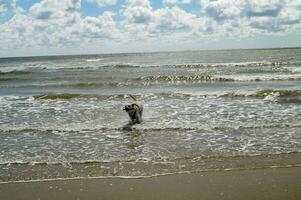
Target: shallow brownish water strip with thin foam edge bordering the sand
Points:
x,y
33,172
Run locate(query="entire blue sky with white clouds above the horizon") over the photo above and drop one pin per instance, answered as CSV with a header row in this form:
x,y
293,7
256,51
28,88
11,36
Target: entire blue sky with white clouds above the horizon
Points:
x,y
56,27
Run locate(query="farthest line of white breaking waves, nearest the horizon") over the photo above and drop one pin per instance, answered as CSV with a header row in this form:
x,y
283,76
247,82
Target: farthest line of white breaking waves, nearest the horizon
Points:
x,y
280,66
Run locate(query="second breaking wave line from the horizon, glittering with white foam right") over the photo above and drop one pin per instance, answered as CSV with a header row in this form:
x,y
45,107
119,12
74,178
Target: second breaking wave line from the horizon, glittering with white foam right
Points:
x,y
146,80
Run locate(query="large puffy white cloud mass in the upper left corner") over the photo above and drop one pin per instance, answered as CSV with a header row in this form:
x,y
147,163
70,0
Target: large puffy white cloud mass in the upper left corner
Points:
x,y
56,23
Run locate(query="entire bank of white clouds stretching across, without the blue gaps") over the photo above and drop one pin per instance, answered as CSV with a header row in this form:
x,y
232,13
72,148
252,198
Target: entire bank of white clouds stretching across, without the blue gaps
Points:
x,y
59,23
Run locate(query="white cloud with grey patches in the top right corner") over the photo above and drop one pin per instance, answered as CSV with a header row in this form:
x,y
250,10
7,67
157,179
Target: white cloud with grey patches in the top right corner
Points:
x,y
256,16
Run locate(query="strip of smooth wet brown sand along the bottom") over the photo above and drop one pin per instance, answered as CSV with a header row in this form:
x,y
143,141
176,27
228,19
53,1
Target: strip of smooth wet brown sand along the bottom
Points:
x,y
269,184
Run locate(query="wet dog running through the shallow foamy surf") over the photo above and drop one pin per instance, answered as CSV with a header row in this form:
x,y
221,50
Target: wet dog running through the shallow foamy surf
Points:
x,y
135,111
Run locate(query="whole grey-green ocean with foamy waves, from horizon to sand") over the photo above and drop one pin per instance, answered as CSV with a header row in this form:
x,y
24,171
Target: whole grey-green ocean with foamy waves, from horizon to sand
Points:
x,y
61,116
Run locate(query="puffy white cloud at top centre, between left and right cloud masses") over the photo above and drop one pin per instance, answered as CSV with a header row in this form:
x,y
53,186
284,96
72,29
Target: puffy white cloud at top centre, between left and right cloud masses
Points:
x,y
142,21
